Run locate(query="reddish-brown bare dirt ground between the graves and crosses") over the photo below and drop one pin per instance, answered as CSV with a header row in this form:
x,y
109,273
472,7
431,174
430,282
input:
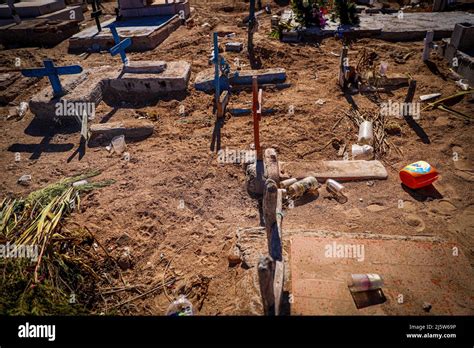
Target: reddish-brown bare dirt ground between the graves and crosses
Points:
x,y
143,209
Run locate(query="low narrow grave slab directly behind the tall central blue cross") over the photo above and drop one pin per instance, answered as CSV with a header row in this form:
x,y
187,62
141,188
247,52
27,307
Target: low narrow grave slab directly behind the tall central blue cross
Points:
x,y
205,79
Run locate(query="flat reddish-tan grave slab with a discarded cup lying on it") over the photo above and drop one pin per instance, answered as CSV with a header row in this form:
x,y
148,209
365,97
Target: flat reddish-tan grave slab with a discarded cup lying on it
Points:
x,y
419,268
